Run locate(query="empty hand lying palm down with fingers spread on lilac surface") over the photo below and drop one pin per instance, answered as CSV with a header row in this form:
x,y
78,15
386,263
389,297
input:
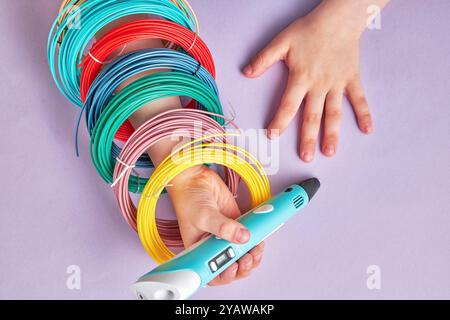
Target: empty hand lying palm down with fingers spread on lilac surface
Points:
x,y
322,54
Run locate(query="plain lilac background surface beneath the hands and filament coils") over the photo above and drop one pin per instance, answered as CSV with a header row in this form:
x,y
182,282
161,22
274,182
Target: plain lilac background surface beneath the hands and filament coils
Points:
x,y
384,200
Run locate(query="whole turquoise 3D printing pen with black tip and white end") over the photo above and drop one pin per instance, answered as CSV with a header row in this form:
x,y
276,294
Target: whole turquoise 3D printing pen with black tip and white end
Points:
x,y
194,267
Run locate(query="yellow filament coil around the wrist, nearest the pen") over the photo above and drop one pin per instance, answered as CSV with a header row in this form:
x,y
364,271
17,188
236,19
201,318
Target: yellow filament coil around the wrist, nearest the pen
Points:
x,y
192,154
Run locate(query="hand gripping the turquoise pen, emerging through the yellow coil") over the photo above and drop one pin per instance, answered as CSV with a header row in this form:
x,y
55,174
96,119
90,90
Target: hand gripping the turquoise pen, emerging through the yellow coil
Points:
x,y
204,205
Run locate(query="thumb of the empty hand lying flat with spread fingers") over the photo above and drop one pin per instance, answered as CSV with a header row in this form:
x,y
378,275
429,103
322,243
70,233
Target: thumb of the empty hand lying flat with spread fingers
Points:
x,y
273,53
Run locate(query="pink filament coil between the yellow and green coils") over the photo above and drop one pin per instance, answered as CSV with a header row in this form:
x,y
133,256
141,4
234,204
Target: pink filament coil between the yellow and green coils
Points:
x,y
188,123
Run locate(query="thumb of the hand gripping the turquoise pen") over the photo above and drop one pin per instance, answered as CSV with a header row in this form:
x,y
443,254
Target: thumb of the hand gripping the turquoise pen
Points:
x,y
223,227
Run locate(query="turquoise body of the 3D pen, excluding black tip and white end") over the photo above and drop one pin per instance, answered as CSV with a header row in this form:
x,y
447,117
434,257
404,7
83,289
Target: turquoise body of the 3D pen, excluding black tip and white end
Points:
x,y
211,256
